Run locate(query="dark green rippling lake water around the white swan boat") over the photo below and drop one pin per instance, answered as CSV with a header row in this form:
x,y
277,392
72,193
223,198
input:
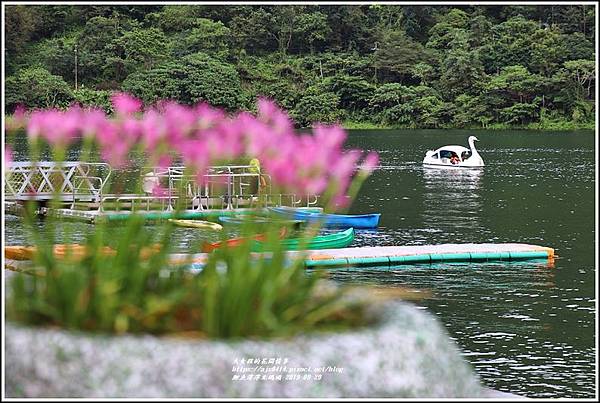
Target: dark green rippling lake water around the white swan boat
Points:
x,y
526,328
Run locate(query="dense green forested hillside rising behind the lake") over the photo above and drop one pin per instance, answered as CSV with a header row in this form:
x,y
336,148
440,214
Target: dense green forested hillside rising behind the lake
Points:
x,y
368,65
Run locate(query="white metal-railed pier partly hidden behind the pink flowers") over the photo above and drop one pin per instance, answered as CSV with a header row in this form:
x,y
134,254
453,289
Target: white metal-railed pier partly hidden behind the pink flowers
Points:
x,y
231,186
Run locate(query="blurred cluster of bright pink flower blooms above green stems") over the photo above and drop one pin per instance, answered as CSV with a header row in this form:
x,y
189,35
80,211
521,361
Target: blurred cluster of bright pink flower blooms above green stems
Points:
x,y
202,136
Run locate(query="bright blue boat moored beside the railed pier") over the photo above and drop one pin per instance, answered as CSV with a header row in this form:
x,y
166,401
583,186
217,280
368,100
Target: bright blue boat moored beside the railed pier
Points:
x,y
330,220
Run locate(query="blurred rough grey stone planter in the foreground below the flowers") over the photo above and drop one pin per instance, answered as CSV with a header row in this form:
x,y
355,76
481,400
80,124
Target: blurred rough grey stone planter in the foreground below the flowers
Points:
x,y
406,355
